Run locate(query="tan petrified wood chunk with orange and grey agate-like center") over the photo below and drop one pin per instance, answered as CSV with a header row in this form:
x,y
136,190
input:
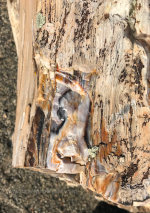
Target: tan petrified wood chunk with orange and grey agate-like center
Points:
x,y
83,108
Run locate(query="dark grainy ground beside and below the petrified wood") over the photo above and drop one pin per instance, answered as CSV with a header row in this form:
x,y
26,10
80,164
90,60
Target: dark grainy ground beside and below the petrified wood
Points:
x,y
23,190
